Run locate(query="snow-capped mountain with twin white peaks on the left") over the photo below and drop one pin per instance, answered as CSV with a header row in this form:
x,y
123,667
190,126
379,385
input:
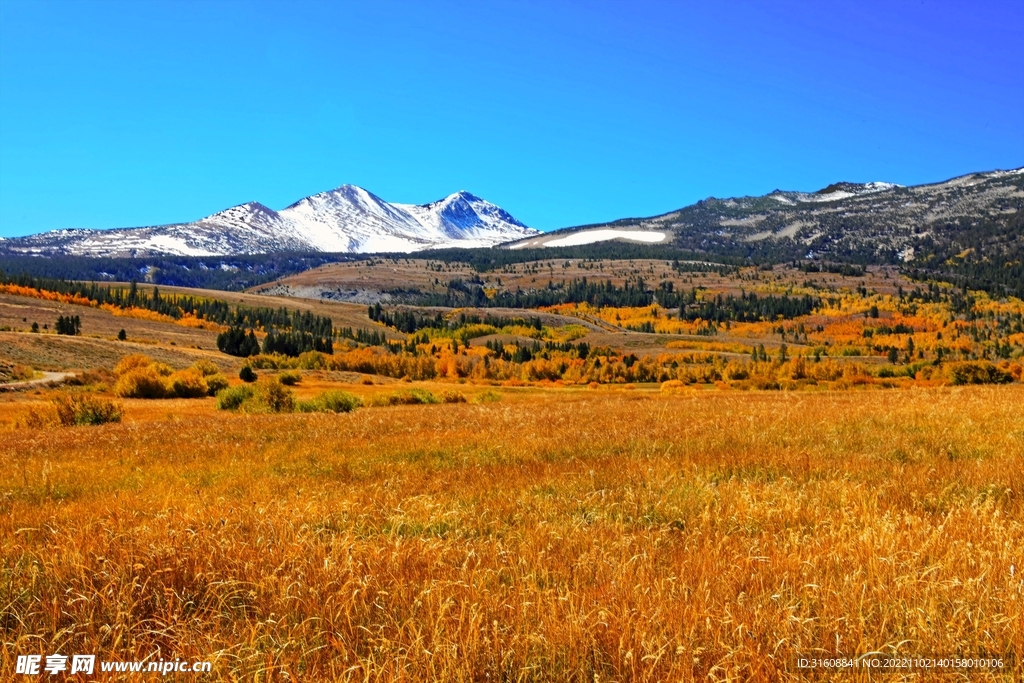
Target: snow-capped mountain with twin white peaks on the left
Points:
x,y
349,220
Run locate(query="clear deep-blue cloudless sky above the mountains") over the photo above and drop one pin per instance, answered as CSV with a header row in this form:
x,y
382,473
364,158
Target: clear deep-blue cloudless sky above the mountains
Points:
x,y
121,114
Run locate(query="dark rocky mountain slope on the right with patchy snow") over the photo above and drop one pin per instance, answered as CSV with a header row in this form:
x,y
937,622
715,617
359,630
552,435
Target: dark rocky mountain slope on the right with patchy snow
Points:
x,y
874,223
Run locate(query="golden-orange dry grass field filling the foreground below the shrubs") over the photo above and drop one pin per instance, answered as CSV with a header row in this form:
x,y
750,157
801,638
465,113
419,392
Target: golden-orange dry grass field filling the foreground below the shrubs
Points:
x,y
564,535
